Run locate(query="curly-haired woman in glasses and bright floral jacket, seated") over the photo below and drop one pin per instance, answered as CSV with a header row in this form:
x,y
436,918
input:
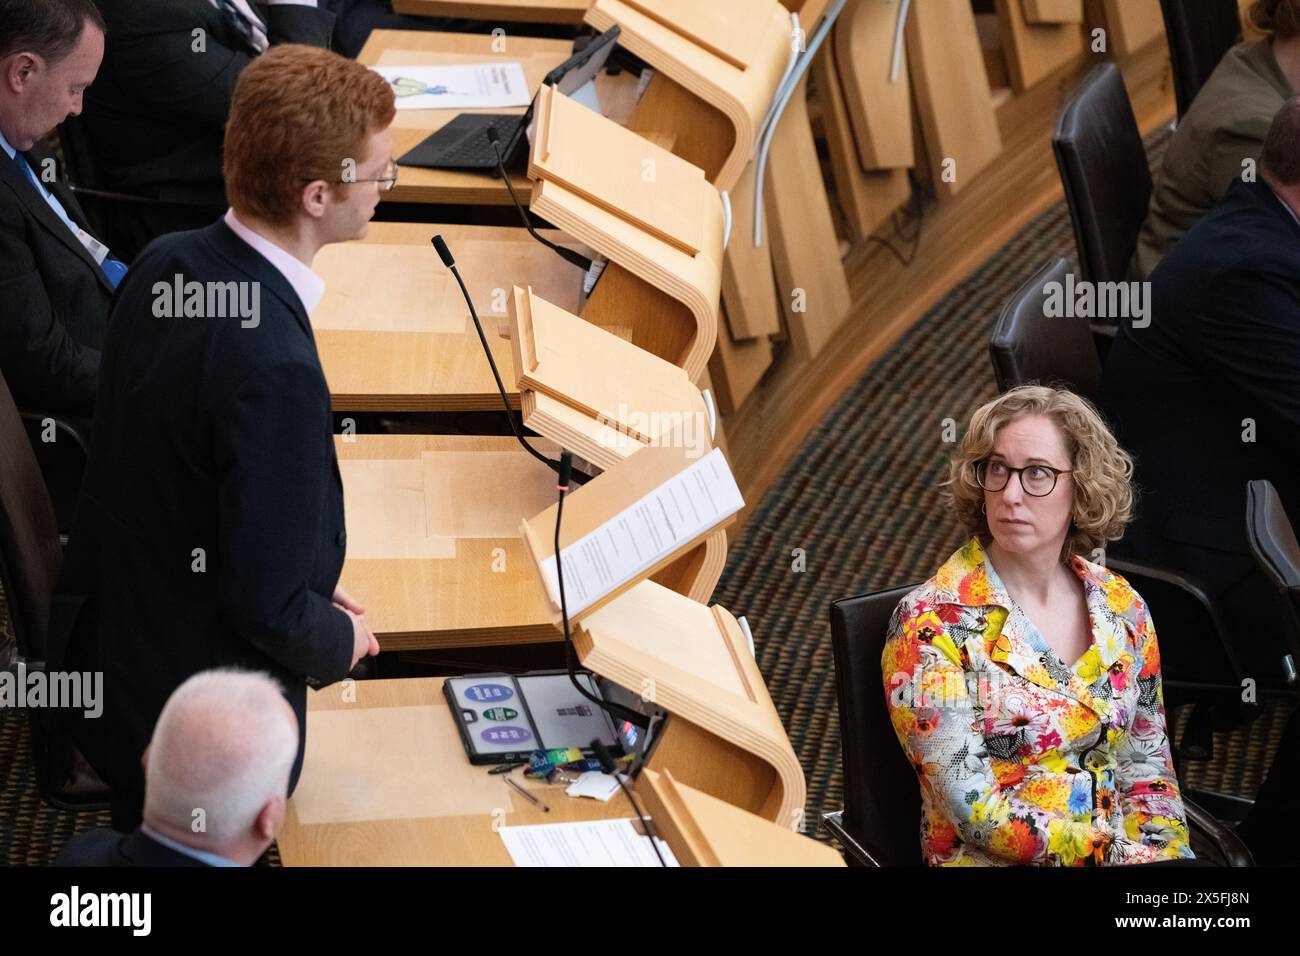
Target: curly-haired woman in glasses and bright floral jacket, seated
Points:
x,y
1024,680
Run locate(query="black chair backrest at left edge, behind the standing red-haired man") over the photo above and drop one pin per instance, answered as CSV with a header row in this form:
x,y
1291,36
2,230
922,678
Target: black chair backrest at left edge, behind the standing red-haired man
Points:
x,y
31,553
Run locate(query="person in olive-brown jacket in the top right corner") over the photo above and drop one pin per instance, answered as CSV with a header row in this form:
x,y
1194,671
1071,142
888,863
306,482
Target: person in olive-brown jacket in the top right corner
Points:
x,y
1224,128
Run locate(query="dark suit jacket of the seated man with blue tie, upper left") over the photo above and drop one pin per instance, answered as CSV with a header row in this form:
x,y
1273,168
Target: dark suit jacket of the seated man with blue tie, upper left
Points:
x,y
55,299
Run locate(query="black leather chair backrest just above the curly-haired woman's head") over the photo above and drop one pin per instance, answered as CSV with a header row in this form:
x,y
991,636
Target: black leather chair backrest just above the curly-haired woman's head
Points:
x,y
1030,347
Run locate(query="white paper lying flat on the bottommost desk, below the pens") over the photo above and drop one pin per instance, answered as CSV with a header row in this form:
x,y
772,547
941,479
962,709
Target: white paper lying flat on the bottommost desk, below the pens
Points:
x,y
590,843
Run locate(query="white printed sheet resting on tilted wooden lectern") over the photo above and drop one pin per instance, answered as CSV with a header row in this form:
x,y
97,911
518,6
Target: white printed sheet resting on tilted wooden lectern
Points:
x,y
674,514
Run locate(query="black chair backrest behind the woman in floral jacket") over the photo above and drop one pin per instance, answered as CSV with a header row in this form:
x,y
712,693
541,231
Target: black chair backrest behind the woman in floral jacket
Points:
x,y
882,798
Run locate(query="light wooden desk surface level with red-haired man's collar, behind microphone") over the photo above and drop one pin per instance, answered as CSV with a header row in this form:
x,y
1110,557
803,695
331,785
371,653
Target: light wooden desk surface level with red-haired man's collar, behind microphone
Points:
x,y
393,331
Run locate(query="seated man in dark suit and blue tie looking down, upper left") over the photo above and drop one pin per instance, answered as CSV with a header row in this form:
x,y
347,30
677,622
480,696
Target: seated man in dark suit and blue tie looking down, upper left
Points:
x,y
57,279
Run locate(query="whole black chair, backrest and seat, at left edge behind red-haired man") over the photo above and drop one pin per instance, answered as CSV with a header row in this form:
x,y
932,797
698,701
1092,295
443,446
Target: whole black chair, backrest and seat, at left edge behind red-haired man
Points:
x,y
31,557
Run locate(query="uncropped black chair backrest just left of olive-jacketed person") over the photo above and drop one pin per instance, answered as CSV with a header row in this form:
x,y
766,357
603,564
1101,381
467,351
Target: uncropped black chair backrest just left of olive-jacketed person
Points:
x,y
1104,170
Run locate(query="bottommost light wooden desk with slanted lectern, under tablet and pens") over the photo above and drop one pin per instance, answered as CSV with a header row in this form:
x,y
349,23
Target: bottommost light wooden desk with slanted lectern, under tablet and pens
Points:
x,y
387,784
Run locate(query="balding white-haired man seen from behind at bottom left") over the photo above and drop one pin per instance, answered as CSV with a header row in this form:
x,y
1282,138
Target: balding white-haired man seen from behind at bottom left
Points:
x,y
218,778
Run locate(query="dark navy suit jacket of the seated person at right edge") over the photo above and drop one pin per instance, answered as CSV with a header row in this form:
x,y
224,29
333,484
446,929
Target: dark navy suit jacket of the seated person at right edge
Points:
x,y
1220,361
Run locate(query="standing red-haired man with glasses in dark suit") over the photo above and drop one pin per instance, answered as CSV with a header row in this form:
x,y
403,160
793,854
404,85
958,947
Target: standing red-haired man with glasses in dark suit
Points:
x,y
211,525
